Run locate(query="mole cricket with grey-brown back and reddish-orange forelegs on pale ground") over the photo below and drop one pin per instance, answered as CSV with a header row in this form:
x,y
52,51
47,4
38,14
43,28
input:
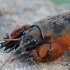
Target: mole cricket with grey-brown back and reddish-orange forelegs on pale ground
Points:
x,y
46,40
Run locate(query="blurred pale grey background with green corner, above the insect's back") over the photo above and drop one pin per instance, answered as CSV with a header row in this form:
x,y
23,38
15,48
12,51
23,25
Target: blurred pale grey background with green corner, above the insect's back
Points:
x,y
15,13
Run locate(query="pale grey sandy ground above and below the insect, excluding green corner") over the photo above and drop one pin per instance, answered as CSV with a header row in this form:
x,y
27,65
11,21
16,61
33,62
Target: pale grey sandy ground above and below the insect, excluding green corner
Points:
x,y
15,13
